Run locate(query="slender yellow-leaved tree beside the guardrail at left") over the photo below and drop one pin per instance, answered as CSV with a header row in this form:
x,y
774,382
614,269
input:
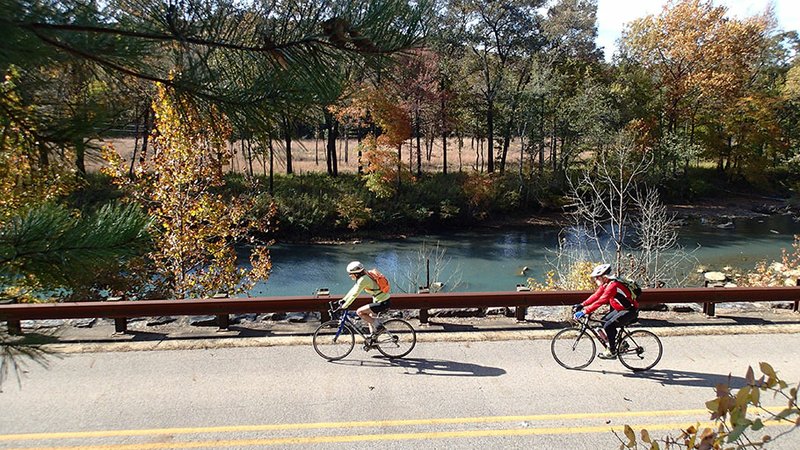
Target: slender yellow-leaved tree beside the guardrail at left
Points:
x,y
198,229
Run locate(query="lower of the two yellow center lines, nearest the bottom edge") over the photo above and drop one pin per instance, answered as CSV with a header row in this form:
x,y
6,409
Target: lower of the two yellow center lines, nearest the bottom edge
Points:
x,y
384,437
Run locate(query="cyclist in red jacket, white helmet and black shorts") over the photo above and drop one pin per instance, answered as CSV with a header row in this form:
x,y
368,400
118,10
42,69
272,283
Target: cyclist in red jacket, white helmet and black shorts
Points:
x,y
623,310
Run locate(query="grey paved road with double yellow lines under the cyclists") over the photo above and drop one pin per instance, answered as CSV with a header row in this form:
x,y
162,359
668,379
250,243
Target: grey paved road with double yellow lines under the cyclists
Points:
x,y
503,394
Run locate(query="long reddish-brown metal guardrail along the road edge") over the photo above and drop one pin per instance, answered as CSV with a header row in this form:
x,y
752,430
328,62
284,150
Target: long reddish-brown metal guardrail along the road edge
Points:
x,y
120,311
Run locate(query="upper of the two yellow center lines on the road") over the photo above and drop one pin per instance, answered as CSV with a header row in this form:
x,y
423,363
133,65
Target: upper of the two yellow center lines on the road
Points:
x,y
355,424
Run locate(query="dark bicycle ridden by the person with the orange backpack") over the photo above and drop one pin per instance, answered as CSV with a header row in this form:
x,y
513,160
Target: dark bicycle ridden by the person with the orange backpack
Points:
x,y
335,339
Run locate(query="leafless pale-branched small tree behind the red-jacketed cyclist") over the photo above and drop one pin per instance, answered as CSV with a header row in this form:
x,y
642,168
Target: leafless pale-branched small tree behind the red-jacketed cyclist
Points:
x,y
616,221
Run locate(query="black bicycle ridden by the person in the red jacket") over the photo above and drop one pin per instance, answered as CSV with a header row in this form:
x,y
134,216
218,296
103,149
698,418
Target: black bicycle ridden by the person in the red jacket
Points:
x,y
575,348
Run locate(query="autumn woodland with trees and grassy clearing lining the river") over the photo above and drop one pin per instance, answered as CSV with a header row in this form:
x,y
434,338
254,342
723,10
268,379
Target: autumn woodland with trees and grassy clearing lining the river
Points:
x,y
147,140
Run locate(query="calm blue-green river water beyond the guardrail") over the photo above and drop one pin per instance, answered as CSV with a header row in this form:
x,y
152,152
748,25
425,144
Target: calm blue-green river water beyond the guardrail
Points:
x,y
492,260
